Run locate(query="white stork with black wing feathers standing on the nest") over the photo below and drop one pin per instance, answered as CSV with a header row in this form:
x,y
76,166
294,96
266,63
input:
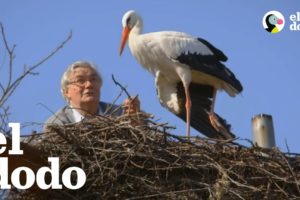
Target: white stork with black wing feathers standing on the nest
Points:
x,y
188,72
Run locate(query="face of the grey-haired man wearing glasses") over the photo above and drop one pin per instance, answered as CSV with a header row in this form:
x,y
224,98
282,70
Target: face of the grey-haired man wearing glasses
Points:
x,y
84,87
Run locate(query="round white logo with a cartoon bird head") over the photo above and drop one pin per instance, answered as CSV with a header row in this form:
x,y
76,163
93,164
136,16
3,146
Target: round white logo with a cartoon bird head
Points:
x,y
273,21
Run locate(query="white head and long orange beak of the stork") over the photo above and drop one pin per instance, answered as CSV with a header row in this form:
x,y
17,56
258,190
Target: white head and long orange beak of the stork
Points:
x,y
129,20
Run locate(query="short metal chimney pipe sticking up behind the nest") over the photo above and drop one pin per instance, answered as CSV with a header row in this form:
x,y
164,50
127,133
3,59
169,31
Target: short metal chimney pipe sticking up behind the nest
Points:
x,y
263,131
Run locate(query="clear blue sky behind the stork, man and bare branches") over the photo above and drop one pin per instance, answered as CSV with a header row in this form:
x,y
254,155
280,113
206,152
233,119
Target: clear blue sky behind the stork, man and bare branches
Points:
x,y
267,65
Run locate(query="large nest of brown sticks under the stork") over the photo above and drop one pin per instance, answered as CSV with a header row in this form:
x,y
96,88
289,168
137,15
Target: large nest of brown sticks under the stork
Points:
x,y
145,162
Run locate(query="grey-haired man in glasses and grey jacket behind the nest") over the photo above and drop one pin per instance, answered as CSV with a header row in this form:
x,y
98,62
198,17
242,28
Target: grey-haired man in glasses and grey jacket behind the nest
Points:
x,y
80,86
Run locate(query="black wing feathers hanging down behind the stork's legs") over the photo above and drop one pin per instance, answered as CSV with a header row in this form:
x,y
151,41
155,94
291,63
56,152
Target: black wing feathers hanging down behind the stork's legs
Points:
x,y
201,103
